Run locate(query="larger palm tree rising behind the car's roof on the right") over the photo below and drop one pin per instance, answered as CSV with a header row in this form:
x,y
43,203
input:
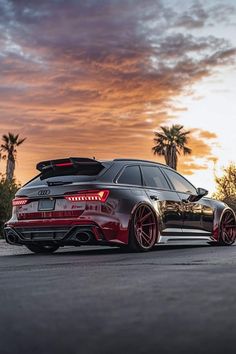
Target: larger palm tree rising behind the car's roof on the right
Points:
x,y
171,142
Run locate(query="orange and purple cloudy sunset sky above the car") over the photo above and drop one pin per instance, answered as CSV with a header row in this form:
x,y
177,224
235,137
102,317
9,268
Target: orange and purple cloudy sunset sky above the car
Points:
x,y
97,77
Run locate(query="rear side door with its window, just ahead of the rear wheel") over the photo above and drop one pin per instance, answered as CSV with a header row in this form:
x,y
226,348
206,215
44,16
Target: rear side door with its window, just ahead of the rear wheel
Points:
x,y
166,201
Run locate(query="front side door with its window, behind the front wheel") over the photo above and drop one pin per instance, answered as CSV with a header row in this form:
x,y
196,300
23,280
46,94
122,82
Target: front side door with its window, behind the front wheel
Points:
x,y
194,213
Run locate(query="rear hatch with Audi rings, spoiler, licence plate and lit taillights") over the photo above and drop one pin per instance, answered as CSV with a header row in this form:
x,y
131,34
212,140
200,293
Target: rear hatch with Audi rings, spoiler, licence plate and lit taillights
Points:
x,y
63,189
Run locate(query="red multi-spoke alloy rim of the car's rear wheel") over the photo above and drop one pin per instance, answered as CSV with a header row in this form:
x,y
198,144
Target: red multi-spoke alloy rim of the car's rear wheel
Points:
x,y
145,229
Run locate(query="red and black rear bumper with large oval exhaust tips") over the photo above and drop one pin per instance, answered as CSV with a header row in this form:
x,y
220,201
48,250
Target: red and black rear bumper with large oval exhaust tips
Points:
x,y
63,232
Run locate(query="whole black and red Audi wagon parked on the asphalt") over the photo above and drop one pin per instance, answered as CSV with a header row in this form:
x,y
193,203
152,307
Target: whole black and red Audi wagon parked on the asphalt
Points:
x,y
134,204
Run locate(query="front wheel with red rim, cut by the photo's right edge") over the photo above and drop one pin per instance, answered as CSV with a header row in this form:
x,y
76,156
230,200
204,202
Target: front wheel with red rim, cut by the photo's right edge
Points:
x,y
227,229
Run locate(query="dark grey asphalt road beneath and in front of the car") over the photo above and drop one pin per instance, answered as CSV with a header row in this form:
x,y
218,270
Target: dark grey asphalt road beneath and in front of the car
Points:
x,y
176,299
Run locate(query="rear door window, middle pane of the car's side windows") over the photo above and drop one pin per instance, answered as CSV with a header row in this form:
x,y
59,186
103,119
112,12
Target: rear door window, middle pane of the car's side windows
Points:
x,y
153,177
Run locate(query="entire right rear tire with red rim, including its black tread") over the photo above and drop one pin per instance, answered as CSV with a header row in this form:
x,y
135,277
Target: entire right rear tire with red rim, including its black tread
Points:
x,y
143,229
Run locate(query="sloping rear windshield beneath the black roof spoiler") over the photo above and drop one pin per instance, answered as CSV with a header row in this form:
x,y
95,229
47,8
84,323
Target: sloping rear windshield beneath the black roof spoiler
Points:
x,y
68,175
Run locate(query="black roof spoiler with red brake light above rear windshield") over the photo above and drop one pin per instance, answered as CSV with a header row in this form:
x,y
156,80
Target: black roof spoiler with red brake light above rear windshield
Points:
x,y
75,163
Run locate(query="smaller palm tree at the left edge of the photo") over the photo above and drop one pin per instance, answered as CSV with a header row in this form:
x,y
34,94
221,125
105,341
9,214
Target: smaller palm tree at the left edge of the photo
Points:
x,y
10,143
